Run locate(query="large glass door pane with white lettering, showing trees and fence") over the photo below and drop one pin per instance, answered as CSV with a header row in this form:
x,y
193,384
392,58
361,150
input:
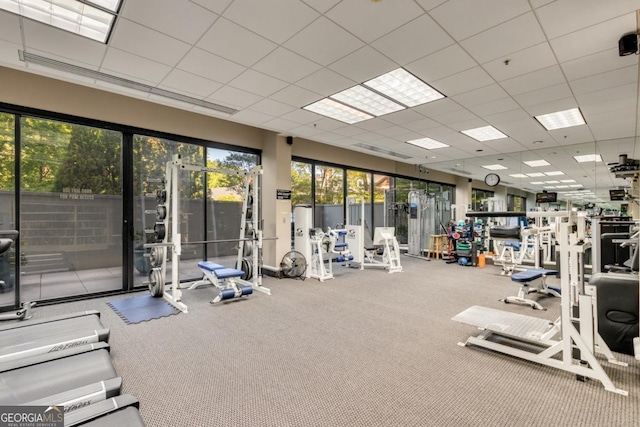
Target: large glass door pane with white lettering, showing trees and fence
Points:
x,y
70,209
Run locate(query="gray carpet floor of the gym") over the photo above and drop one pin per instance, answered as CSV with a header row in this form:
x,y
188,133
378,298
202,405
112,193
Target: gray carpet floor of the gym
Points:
x,y
365,349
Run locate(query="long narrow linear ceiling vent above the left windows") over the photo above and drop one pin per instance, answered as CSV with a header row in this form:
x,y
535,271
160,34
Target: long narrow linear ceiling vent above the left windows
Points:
x,y
30,58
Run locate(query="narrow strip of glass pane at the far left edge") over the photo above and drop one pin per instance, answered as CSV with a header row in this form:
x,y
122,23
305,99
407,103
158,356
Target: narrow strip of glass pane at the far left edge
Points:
x,y
8,274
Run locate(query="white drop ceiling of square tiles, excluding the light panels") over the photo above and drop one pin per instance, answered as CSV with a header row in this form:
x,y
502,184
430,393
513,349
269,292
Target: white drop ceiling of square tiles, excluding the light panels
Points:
x,y
498,63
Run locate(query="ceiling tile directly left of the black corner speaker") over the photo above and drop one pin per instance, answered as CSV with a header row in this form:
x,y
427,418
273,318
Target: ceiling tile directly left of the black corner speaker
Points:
x,y
601,37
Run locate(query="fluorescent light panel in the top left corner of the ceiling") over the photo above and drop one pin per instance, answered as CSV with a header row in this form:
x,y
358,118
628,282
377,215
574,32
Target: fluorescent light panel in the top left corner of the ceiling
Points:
x,y
69,15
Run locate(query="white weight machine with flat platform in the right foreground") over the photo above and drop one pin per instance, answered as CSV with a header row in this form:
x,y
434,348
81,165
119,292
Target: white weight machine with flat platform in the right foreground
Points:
x,y
571,342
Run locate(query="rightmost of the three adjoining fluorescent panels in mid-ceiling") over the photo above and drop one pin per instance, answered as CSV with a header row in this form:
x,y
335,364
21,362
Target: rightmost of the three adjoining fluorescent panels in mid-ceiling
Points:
x,y
404,87
